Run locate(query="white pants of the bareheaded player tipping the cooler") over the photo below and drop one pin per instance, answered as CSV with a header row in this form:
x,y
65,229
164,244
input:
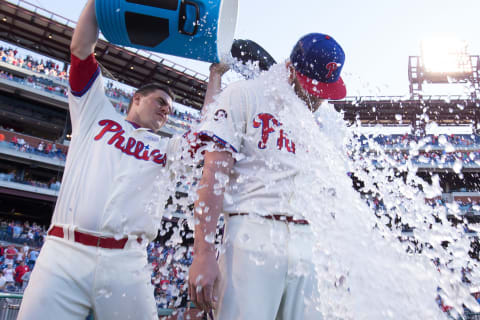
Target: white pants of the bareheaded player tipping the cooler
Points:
x,y
70,279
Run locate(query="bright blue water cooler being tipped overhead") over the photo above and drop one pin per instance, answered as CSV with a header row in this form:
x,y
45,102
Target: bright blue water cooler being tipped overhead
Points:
x,y
196,29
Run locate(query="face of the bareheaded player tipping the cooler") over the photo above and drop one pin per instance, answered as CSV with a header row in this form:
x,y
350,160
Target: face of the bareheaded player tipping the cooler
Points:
x,y
153,109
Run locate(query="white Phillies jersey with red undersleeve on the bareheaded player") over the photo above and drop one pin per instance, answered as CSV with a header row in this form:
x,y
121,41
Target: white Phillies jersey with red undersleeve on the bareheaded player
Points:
x,y
109,184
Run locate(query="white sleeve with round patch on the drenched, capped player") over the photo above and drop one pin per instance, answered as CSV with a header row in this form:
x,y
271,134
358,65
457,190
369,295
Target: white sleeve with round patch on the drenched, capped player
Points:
x,y
225,121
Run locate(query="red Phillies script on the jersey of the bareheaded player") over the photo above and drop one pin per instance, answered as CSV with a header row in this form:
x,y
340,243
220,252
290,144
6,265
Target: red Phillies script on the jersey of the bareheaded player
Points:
x,y
131,147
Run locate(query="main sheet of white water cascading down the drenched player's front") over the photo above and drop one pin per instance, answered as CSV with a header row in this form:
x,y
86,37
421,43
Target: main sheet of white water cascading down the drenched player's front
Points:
x,y
384,282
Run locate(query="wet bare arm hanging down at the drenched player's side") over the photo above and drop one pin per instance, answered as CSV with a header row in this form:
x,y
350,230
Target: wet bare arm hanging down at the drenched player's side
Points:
x,y
204,272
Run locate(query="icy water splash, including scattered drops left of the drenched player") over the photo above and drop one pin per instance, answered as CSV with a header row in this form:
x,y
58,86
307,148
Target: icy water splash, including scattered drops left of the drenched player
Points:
x,y
364,271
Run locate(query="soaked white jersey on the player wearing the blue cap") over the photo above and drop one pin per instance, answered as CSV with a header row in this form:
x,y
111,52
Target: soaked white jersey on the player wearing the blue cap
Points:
x,y
246,118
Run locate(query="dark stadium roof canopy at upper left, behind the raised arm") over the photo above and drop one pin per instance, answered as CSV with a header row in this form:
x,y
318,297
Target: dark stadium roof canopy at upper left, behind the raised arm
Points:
x,y
31,27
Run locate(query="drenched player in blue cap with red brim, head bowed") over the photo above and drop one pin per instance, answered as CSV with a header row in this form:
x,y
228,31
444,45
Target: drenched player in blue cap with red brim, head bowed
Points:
x,y
265,269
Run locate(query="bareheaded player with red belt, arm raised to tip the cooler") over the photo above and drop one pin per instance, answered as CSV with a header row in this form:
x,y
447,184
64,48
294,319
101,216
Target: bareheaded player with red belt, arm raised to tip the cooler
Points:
x,y
109,205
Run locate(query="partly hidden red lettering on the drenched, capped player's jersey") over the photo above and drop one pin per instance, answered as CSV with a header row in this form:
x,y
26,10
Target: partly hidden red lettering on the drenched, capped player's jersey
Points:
x,y
269,124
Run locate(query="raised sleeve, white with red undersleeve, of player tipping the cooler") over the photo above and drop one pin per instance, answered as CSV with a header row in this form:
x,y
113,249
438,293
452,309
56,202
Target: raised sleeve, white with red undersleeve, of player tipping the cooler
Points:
x,y
87,94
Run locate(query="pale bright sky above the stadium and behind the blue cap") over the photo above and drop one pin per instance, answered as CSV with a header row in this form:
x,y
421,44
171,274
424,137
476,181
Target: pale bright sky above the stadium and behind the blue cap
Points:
x,y
377,35
